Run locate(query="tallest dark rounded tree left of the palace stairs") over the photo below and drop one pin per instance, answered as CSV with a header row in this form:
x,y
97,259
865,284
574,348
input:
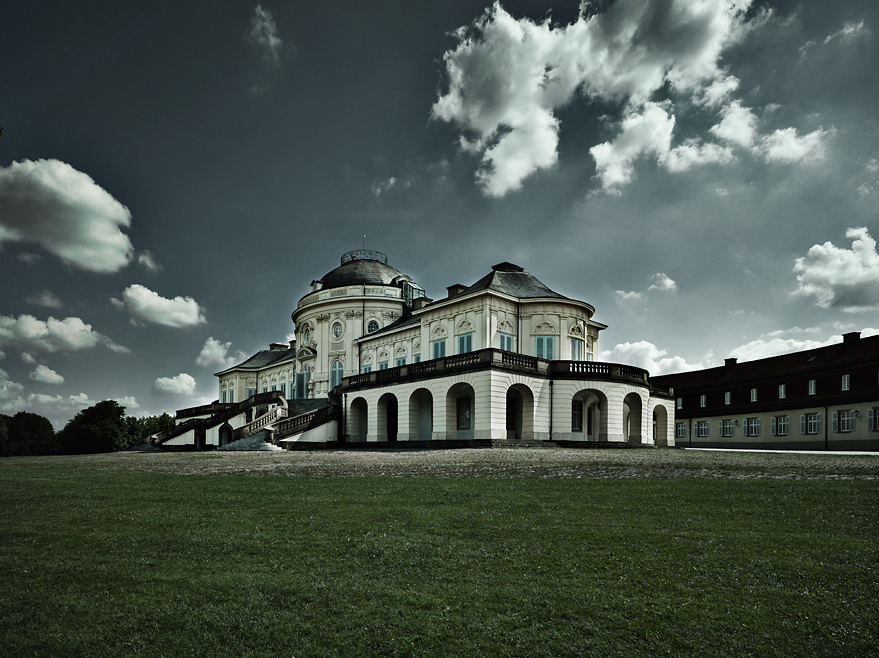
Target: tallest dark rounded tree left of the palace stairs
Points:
x,y
101,428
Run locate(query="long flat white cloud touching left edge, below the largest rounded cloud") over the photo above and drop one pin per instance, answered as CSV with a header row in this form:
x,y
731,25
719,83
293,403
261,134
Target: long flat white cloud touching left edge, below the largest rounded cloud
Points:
x,y
52,335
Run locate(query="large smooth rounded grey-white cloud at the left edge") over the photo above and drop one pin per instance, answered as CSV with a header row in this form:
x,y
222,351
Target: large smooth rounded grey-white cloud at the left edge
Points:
x,y
66,212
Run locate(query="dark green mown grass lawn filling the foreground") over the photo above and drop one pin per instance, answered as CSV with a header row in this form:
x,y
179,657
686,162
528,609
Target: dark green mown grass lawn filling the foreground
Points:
x,y
106,563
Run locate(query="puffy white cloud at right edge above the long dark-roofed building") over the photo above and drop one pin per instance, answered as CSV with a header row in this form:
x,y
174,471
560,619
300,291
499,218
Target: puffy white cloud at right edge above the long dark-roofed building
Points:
x,y
847,279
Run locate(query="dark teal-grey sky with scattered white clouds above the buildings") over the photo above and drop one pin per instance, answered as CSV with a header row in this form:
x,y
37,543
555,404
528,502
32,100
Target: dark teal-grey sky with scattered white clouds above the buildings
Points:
x,y
174,175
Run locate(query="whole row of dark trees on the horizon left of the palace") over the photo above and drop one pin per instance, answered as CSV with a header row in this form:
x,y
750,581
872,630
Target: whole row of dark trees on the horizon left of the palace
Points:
x,y
101,428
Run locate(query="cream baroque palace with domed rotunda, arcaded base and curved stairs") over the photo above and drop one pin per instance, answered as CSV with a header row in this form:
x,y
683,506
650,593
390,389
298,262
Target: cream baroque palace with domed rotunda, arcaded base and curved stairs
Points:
x,y
376,360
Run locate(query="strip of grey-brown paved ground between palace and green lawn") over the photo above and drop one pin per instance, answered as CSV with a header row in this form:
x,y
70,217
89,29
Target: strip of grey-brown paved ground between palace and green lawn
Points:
x,y
488,463
